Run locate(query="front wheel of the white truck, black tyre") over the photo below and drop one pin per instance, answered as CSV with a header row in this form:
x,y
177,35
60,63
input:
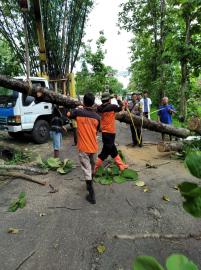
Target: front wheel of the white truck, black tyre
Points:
x,y
41,131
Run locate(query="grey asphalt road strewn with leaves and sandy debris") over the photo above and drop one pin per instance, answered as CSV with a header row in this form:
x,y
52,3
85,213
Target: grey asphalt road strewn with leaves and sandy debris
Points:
x,y
61,231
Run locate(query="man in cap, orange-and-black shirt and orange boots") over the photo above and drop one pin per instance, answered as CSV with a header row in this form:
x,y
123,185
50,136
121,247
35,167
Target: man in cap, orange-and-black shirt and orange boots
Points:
x,y
107,112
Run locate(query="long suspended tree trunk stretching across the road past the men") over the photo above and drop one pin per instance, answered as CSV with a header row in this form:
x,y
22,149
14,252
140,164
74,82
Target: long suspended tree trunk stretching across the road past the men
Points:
x,y
52,97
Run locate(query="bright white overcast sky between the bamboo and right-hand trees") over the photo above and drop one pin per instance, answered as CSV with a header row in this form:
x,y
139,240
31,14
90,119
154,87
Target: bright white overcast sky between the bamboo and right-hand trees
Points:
x,y
104,17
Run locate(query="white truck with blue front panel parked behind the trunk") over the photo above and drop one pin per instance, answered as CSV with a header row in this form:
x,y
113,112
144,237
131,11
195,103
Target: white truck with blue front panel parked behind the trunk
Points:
x,y
19,114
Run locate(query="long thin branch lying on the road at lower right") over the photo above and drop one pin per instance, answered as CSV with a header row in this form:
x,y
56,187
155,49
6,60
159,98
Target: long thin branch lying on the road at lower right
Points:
x,y
158,236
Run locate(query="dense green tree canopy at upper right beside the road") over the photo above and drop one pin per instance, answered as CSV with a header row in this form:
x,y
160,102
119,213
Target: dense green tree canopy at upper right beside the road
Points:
x,y
166,46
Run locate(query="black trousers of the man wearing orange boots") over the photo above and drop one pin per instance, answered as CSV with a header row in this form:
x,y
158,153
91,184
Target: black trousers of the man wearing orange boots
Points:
x,y
109,148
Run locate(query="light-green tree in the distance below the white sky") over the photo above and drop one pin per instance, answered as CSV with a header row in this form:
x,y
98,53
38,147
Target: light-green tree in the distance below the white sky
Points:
x,y
95,76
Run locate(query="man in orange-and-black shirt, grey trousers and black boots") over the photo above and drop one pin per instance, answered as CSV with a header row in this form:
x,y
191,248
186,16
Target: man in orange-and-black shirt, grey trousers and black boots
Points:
x,y
88,124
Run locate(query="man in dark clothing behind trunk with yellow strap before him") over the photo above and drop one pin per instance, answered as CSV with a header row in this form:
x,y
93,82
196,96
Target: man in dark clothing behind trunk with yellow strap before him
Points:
x,y
136,132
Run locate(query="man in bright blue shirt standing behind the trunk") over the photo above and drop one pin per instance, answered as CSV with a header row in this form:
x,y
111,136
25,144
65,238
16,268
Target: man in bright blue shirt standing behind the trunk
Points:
x,y
165,113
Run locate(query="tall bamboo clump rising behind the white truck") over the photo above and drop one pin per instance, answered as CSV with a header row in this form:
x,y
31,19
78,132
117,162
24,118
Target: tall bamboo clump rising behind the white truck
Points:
x,y
63,25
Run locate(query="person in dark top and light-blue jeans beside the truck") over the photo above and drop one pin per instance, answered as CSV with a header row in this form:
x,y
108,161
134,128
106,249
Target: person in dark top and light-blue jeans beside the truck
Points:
x,y
57,127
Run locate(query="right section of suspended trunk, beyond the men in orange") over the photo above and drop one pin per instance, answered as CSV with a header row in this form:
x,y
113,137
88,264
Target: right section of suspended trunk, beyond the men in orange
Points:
x,y
153,125
